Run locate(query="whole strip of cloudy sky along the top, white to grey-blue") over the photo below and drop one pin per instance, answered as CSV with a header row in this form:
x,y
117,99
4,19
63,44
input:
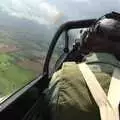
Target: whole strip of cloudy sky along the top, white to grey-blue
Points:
x,y
53,11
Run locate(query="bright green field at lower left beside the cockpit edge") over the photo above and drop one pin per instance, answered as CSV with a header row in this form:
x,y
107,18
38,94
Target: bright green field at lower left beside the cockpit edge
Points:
x,y
12,77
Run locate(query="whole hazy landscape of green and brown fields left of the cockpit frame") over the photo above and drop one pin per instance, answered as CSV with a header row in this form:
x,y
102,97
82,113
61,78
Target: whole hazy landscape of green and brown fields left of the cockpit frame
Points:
x,y
23,47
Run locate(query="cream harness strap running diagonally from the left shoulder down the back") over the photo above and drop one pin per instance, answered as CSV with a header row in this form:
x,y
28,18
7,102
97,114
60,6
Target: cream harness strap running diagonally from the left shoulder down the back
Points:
x,y
107,111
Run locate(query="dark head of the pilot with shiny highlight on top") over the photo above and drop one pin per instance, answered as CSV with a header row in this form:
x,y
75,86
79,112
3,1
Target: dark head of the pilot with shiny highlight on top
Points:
x,y
104,35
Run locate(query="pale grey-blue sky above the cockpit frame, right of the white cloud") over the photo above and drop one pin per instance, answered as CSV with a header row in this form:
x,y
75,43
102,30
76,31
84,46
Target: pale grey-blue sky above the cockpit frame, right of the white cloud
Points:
x,y
84,9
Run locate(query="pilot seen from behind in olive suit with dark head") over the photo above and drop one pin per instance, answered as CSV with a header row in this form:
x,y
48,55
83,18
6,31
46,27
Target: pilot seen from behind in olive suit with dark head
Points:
x,y
71,98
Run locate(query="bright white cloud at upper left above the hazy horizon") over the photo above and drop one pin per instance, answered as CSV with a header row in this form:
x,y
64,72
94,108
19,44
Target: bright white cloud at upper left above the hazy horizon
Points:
x,y
37,10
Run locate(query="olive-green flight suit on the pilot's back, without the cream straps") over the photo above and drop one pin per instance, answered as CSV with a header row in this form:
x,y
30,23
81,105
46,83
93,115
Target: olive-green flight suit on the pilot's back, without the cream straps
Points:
x,y
69,96
